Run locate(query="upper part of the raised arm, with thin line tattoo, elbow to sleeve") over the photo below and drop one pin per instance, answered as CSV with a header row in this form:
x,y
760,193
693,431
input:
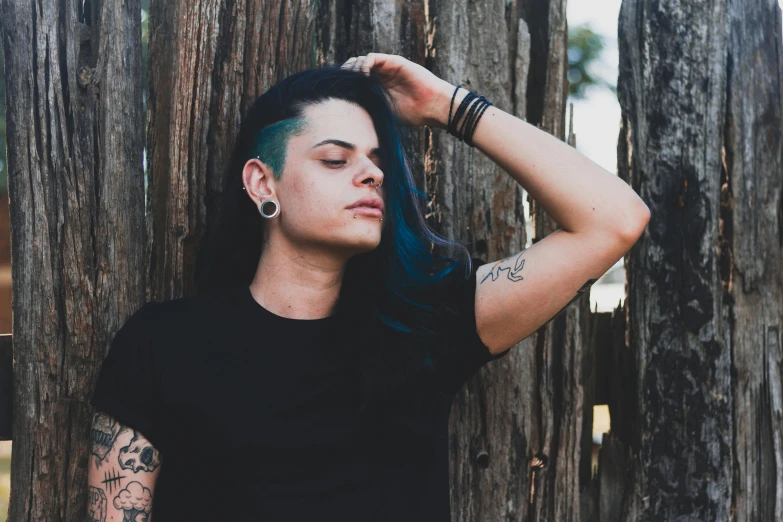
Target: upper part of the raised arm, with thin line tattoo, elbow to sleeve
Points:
x,y
517,295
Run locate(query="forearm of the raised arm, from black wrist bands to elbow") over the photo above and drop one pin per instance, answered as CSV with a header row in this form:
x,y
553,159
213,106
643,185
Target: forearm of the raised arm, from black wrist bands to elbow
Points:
x,y
578,194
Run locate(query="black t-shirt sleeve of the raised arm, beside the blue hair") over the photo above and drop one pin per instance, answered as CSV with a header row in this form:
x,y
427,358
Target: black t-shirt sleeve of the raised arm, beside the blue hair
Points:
x,y
468,352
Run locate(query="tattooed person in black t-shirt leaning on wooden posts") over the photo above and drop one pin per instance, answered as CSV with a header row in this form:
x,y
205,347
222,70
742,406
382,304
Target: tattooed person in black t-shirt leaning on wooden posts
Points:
x,y
311,377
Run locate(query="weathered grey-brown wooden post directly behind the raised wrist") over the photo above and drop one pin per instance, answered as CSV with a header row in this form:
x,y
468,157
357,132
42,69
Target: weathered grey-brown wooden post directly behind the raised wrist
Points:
x,y
493,422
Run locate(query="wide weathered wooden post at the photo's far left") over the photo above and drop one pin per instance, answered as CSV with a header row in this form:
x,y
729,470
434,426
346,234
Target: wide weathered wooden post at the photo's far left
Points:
x,y
76,193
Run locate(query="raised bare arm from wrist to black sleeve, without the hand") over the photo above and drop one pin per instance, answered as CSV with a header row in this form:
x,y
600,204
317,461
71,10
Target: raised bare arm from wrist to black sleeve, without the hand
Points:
x,y
600,215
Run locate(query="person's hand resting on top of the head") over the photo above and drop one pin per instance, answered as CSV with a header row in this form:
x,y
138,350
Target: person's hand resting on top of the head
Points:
x,y
416,91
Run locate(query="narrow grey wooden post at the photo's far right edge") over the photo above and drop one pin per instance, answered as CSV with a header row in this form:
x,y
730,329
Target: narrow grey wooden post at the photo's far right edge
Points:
x,y
752,256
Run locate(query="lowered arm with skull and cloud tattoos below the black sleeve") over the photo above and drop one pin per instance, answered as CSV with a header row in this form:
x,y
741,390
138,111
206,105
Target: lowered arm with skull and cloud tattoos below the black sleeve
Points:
x,y
123,470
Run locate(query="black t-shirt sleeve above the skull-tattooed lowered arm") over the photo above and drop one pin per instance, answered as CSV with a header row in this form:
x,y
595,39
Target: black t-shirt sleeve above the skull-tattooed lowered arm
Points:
x,y
127,386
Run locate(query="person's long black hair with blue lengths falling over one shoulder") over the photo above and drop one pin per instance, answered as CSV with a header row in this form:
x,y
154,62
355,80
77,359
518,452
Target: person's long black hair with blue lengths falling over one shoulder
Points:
x,y
401,278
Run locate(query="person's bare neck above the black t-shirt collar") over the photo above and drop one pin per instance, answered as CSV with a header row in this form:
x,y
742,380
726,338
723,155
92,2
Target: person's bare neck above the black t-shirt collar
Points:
x,y
295,284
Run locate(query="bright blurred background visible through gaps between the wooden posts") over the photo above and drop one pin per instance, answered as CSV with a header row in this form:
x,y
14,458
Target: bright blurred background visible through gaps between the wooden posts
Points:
x,y
593,58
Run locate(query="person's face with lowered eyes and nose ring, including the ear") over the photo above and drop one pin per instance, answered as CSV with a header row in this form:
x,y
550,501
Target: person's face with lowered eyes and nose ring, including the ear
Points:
x,y
328,167
